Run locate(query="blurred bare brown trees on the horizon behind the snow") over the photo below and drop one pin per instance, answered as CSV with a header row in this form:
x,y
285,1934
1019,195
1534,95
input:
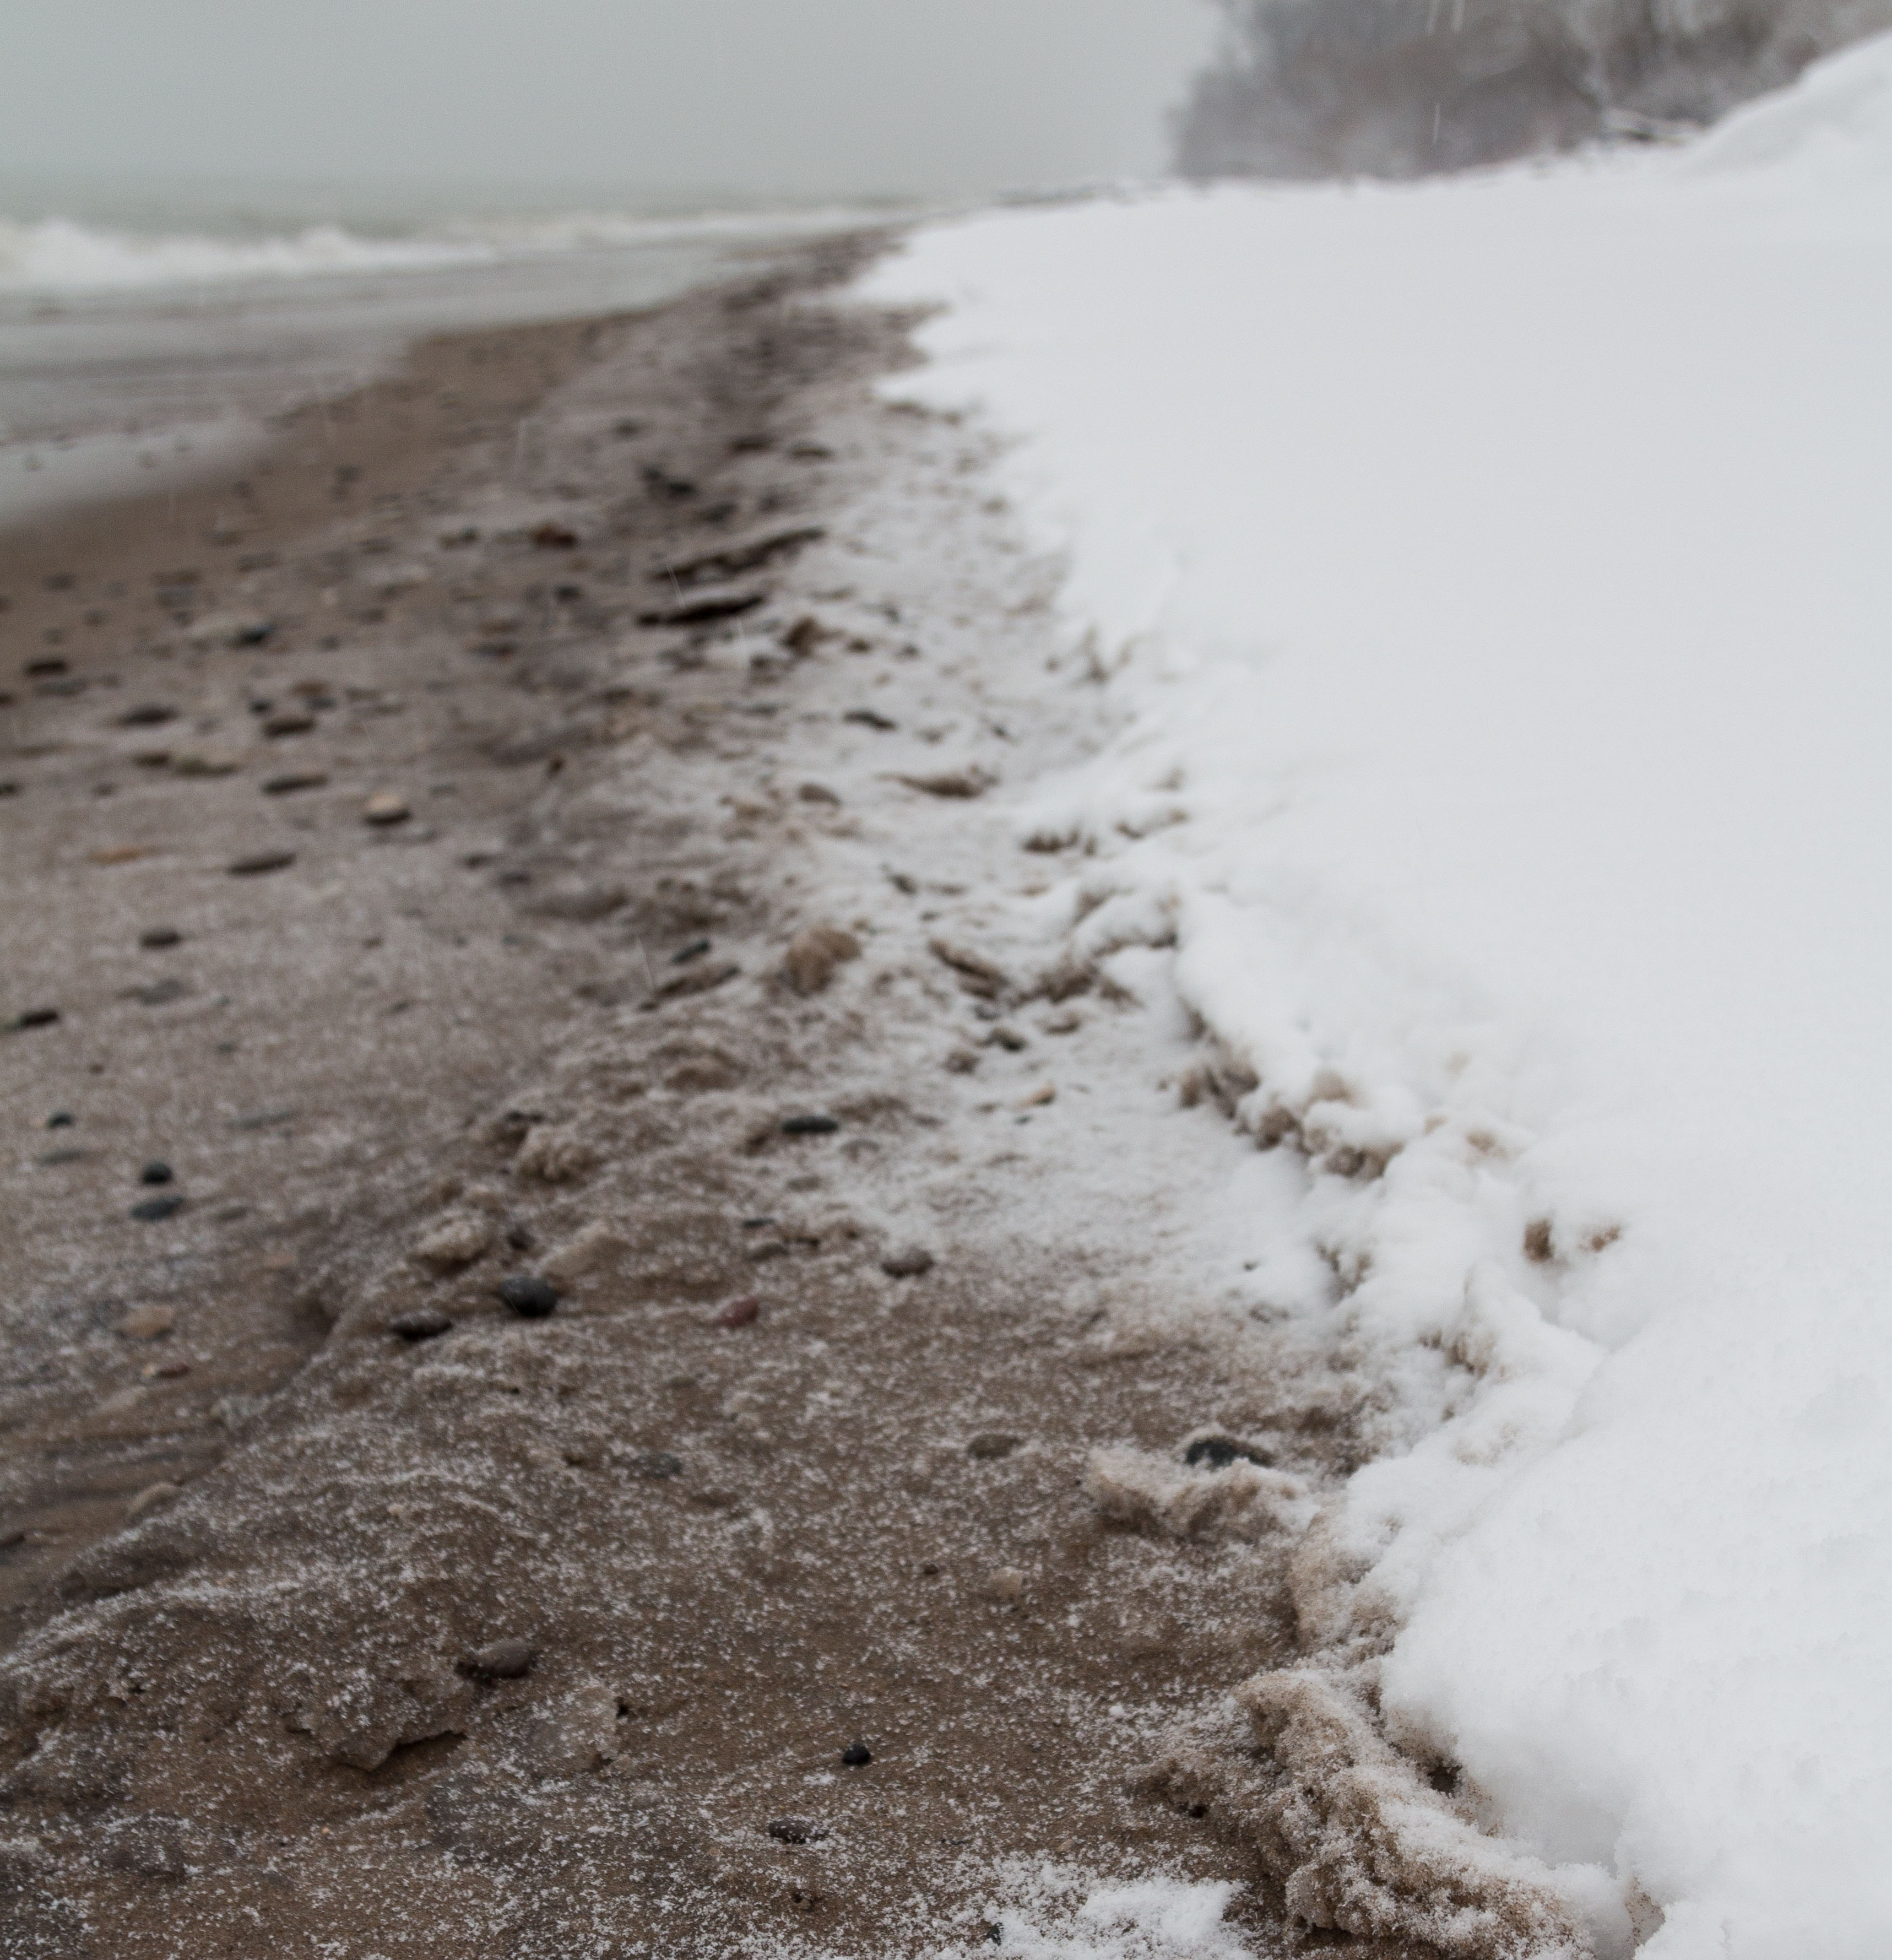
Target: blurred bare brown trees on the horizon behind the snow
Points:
x,y
1409,87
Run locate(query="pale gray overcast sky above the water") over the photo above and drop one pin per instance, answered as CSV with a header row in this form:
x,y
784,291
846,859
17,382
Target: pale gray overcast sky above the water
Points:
x,y
793,97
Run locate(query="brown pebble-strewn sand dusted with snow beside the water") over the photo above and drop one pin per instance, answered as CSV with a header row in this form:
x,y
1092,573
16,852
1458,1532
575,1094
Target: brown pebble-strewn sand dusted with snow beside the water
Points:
x,y
766,1487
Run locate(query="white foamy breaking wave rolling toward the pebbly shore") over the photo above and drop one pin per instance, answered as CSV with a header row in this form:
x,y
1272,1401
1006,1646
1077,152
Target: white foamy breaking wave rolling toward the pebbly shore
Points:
x,y
66,256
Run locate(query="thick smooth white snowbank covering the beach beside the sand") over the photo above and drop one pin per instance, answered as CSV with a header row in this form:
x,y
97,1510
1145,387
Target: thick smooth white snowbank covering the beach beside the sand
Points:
x,y
1495,589
